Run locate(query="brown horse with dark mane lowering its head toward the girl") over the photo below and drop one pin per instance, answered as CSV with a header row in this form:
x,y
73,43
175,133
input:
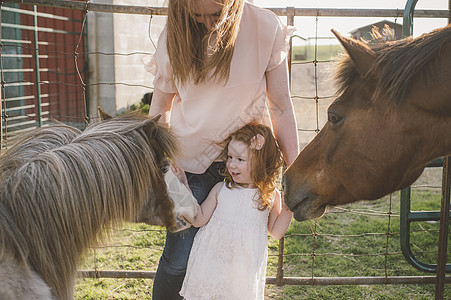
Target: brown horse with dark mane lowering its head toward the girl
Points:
x,y
391,118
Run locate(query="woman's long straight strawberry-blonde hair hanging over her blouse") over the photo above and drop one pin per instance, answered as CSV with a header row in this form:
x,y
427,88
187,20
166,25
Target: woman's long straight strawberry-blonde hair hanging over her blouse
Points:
x,y
187,41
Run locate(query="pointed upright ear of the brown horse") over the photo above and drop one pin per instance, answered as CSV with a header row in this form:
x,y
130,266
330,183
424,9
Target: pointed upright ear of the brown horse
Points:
x,y
361,55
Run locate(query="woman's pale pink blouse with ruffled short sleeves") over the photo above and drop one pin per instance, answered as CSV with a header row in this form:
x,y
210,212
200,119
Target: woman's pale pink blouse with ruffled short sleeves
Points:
x,y
207,113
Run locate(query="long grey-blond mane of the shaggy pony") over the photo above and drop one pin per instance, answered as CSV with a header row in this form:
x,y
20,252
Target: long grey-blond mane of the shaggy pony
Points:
x,y
65,194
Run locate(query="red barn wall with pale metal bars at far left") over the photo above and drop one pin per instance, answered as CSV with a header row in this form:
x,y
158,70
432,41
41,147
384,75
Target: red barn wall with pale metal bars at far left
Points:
x,y
41,73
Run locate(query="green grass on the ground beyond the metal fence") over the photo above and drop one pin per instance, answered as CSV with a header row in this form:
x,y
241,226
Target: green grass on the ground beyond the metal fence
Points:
x,y
337,255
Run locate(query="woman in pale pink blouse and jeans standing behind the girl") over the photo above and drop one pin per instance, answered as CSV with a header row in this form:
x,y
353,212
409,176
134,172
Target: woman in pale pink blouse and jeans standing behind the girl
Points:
x,y
219,64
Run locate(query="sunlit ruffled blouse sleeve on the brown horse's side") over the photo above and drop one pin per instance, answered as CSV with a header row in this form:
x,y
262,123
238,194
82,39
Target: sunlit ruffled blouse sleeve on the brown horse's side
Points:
x,y
281,45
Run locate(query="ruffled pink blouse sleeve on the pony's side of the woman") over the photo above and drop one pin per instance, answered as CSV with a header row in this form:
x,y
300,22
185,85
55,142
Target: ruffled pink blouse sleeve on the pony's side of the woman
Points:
x,y
158,65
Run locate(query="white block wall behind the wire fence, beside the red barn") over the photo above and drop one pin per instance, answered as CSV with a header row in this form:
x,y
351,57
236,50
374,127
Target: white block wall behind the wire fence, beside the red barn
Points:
x,y
118,80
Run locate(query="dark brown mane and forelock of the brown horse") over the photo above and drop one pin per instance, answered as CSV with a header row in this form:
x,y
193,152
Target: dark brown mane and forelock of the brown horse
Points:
x,y
397,63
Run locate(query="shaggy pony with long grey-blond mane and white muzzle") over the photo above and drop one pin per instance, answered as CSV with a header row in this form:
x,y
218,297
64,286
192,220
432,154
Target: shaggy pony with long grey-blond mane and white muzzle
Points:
x,y
62,188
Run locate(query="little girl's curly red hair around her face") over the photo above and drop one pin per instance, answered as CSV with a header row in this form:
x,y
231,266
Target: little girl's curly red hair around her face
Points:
x,y
266,163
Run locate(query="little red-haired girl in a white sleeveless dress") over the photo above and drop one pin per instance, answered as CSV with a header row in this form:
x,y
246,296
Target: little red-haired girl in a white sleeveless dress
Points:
x,y
229,255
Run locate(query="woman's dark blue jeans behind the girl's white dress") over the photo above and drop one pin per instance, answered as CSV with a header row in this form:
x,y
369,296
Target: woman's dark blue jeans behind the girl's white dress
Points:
x,y
172,266
